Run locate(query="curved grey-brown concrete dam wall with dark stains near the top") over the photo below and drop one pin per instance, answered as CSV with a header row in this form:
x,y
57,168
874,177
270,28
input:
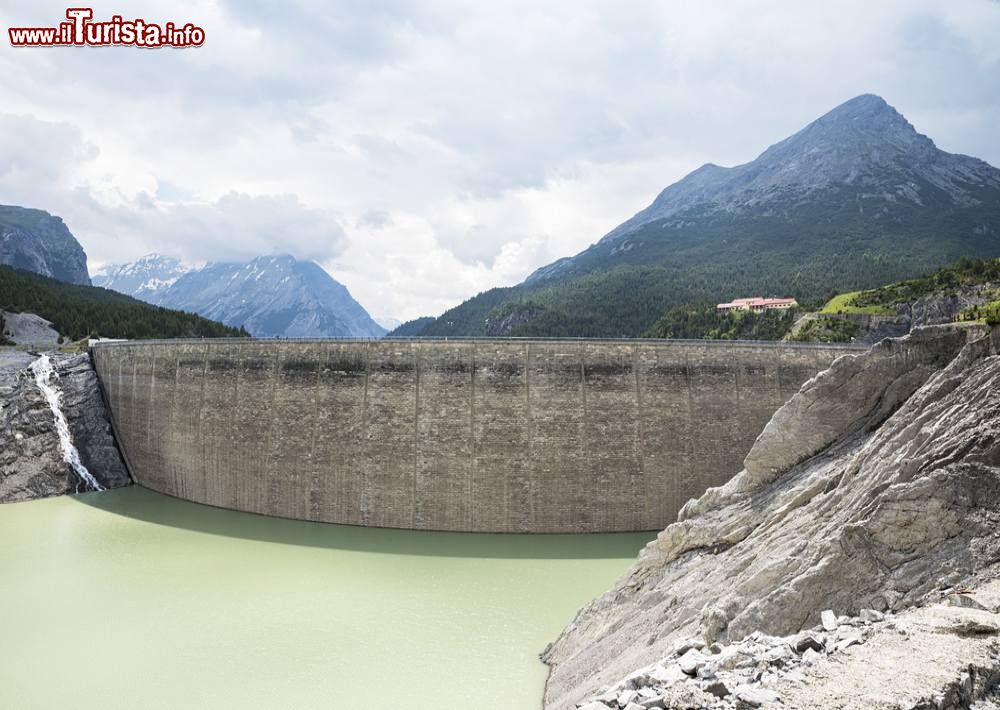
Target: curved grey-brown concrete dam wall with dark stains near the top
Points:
x,y
552,436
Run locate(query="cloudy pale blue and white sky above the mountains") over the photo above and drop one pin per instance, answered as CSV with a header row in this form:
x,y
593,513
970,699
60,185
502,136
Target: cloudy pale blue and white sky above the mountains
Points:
x,y
422,152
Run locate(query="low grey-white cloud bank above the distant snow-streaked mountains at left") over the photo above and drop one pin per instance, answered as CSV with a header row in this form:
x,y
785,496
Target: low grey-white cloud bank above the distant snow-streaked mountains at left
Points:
x,y
235,226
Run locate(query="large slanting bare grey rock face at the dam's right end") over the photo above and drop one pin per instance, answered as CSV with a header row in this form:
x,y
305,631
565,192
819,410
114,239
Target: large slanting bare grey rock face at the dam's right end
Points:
x,y
876,484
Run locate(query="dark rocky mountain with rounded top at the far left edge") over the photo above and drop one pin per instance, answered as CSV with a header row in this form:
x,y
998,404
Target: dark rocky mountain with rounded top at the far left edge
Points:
x,y
40,242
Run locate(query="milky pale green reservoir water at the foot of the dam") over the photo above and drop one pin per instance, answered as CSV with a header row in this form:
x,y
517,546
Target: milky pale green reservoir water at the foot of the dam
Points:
x,y
130,599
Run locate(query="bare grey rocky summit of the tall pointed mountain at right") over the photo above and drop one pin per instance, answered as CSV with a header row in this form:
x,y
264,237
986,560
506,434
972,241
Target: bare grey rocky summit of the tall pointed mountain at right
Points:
x,y
864,145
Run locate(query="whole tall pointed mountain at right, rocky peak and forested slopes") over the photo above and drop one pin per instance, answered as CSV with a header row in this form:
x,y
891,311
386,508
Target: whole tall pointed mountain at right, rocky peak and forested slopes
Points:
x,y
856,199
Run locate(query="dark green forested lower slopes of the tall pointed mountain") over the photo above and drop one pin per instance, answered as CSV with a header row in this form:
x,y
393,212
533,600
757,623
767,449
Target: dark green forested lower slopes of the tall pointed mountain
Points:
x,y
622,287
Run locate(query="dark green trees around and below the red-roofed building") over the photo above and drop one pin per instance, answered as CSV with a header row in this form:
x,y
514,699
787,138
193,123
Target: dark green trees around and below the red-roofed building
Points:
x,y
705,321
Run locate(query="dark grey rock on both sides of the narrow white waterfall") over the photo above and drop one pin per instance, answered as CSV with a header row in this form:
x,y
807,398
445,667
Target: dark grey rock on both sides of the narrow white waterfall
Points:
x,y
32,463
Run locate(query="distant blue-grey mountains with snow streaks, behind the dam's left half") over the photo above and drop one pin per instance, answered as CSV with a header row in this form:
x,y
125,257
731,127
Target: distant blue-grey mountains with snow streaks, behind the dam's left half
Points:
x,y
271,296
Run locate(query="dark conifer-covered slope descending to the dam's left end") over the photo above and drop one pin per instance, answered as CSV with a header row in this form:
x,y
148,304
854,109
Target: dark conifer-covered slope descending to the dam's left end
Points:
x,y
85,311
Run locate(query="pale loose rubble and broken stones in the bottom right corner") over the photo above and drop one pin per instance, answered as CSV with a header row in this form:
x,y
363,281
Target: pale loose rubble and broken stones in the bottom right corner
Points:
x,y
941,657
